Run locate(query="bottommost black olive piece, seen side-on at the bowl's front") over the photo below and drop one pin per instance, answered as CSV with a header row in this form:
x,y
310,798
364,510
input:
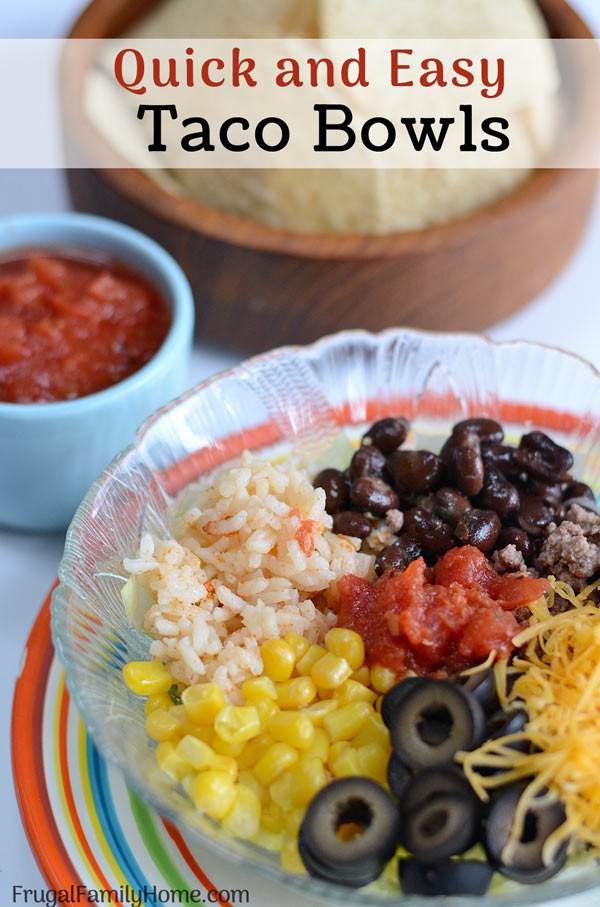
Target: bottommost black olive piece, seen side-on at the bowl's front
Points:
x,y
448,877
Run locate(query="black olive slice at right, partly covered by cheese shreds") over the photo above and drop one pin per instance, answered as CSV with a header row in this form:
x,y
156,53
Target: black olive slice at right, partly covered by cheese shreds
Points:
x,y
525,864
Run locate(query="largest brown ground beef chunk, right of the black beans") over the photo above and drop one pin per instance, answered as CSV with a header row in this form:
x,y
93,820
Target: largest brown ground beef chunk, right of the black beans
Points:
x,y
570,552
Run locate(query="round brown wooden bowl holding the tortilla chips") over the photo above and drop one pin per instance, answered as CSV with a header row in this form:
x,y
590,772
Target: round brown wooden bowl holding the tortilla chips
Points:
x,y
258,287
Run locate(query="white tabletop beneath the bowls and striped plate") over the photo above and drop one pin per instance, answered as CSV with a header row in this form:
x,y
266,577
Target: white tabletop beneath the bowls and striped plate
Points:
x,y
568,315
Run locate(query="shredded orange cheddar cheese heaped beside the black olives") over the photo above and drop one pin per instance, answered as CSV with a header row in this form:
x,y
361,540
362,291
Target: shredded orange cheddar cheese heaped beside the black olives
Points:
x,y
559,683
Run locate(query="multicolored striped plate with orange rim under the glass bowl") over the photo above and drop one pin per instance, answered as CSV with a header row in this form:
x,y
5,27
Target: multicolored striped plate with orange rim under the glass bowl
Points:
x,y
84,825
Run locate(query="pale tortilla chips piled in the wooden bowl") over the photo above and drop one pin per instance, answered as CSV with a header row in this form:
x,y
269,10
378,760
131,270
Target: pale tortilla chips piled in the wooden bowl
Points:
x,y
361,201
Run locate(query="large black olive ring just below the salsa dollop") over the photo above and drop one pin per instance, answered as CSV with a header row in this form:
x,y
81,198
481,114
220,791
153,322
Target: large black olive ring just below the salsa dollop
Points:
x,y
429,706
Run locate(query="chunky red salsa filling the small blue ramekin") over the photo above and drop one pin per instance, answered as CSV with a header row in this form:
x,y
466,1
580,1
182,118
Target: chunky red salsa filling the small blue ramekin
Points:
x,y
70,326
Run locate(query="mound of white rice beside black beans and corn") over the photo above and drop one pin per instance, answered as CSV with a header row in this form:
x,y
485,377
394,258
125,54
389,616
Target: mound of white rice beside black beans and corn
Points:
x,y
252,557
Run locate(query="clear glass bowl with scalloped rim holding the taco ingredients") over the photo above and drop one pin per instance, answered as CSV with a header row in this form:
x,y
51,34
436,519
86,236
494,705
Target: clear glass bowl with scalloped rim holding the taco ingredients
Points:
x,y
299,395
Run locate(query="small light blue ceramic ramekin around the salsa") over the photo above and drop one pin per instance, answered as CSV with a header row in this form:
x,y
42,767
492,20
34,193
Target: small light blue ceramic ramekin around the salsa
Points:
x,y
50,453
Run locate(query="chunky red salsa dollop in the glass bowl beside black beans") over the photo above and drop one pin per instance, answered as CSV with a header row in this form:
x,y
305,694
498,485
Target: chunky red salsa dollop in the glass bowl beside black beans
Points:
x,y
439,620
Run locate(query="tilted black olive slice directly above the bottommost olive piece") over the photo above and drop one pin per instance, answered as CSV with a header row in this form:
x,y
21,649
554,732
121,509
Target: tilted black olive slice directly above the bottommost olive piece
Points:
x,y
441,827
